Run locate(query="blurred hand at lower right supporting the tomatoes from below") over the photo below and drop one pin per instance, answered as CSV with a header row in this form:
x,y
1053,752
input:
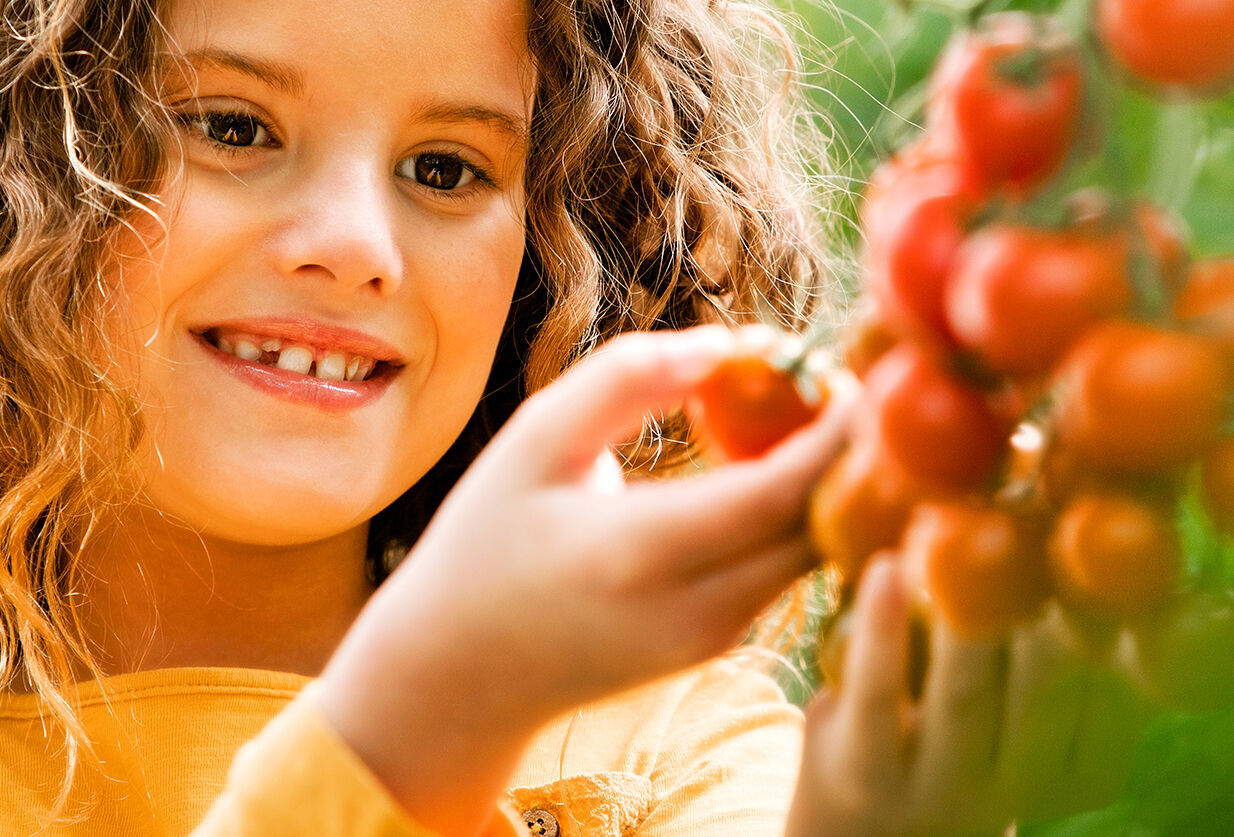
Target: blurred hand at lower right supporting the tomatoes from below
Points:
x,y
1004,731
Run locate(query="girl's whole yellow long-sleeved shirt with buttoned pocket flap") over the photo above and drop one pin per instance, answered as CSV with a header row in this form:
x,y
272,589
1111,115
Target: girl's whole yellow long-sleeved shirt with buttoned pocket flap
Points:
x,y
212,752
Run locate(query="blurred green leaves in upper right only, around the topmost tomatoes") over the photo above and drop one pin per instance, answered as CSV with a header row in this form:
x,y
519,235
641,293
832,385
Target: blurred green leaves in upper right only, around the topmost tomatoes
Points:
x,y
868,69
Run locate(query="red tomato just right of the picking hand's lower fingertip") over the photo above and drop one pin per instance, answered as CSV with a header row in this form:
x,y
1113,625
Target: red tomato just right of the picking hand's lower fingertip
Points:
x,y
935,427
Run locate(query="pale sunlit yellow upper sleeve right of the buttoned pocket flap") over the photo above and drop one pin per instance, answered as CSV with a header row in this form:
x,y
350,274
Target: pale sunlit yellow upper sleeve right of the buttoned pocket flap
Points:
x,y
730,759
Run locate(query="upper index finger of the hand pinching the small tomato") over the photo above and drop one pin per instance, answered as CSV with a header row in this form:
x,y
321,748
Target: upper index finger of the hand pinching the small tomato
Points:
x,y
604,398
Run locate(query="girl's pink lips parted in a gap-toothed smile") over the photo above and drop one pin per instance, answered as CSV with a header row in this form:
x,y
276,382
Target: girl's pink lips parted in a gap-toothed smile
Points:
x,y
302,361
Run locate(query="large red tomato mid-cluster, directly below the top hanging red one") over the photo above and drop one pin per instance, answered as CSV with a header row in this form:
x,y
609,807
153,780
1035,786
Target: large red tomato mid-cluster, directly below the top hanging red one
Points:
x,y
1020,296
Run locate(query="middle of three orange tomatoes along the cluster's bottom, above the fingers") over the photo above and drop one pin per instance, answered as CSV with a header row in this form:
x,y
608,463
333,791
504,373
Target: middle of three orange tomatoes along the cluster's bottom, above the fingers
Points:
x,y
982,570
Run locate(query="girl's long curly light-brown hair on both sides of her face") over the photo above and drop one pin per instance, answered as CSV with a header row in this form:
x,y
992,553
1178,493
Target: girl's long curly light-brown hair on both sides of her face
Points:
x,y
667,187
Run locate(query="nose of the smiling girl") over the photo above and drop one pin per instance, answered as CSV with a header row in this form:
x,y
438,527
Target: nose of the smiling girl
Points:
x,y
342,224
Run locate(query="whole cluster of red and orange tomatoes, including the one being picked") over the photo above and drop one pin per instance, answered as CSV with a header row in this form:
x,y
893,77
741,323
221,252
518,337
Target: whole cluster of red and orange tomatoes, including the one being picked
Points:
x,y
1037,394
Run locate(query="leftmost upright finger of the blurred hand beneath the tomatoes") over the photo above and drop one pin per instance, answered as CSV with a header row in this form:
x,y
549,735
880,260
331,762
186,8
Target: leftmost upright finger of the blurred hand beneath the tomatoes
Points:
x,y
876,688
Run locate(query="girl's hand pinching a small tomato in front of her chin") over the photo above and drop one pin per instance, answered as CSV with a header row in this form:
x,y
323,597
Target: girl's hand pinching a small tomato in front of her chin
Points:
x,y
546,581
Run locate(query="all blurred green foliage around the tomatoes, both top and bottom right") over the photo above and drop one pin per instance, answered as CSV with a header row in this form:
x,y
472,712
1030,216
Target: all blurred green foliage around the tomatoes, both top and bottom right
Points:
x,y
869,64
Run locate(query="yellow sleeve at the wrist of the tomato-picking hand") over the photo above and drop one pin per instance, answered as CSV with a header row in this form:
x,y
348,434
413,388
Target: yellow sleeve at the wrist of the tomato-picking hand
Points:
x,y
299,777
